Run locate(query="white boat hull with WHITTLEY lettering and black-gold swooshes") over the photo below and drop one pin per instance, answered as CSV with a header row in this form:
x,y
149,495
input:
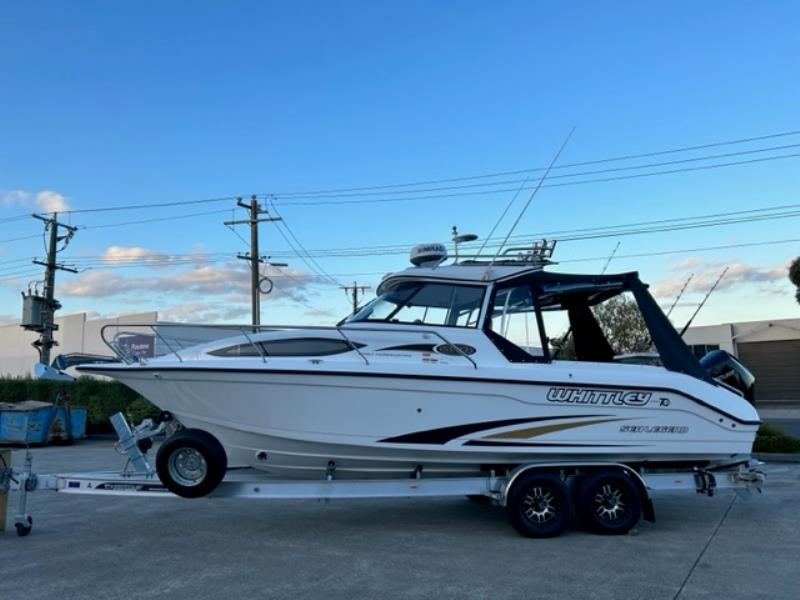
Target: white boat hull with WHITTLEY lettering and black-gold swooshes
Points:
x,y
293,423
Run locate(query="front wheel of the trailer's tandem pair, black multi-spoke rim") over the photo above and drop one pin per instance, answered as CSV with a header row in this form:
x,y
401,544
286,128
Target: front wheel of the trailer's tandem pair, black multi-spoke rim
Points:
x,y
539,505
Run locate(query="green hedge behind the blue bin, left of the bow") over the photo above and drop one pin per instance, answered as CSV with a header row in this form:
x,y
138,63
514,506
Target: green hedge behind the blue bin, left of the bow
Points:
x,y
100,398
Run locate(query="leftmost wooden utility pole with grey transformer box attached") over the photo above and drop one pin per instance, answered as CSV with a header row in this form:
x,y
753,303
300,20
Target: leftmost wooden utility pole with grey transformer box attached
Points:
x,y
39,311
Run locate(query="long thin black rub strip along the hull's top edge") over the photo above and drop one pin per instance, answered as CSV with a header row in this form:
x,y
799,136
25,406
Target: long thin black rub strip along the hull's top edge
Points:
x,y
109,371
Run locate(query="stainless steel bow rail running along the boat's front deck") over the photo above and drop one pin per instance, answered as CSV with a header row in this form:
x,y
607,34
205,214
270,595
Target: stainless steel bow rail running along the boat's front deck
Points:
x,y
246,331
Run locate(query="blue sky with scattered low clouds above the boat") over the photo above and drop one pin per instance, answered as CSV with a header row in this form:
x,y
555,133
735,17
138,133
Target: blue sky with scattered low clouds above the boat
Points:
x,y
111,105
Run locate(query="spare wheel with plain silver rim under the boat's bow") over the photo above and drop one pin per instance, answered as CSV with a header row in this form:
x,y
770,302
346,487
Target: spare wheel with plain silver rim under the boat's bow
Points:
x,y
191,463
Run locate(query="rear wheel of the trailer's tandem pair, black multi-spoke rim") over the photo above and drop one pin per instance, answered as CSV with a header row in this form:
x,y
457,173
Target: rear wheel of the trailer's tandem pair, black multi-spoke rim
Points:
x,y
608,502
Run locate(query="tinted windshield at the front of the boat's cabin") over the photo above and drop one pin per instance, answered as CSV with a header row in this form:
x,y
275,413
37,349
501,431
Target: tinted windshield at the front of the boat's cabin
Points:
x,y
418,302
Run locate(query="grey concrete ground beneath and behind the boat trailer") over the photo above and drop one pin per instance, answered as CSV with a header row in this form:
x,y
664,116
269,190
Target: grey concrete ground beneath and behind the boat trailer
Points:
x,y
87,547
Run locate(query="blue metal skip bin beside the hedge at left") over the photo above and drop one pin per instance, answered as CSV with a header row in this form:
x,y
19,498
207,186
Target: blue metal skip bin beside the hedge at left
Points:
x,y
29,422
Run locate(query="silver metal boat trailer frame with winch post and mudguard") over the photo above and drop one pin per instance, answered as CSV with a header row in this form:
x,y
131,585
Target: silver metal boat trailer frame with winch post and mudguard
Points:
x,y
139,478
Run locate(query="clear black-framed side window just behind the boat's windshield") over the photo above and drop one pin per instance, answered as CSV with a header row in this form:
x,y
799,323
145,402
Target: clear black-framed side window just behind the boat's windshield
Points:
x,y
514,318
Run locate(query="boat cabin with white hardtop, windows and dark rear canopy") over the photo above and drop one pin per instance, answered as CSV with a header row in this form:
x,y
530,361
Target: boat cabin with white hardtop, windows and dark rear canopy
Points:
x,y
532,315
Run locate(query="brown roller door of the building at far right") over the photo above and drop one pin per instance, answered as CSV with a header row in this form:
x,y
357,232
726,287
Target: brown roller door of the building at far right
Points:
x,y
776,366
